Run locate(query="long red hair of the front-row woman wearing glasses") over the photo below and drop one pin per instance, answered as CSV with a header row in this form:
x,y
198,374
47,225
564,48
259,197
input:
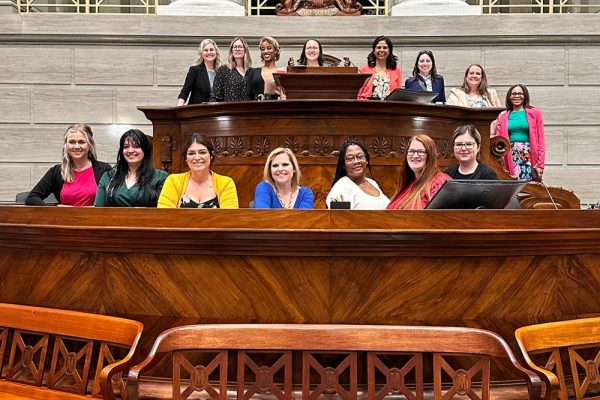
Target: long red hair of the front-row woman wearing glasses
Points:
x,y
423,184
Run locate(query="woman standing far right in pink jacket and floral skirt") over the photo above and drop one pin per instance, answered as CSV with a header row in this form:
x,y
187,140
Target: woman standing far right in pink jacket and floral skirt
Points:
x,y
523,126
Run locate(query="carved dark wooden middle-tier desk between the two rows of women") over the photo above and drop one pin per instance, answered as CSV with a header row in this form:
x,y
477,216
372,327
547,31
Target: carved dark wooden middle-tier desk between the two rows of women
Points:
x,y
243,134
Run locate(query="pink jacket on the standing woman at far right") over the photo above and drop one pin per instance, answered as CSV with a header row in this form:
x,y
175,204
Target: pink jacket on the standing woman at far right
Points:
x,y
537,138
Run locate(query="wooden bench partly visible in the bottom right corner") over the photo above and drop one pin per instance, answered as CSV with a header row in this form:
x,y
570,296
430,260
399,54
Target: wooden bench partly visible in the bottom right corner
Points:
x,y
548,339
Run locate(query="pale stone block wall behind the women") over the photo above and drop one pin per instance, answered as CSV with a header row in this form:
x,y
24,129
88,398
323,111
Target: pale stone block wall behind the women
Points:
x,y
59,69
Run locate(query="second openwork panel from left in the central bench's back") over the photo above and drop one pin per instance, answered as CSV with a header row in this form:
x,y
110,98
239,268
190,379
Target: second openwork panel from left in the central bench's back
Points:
x,y
264,376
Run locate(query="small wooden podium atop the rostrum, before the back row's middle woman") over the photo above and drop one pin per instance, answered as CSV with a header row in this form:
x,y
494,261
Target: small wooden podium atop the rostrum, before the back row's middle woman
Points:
x,y
321,82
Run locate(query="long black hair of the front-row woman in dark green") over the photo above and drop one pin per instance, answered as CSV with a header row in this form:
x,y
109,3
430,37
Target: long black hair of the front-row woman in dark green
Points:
x,y
145,172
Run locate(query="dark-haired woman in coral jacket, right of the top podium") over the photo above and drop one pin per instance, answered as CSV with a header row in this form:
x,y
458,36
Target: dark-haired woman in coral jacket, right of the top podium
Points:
x,y
382,64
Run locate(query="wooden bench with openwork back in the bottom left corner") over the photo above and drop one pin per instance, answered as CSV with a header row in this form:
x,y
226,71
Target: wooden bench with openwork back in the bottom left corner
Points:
x,y
50,354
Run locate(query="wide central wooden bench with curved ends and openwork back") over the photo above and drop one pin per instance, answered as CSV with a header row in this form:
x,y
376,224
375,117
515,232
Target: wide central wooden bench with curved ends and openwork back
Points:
x,y
330,360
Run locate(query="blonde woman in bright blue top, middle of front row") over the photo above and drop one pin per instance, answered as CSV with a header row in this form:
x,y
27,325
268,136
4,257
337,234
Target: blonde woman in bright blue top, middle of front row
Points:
x,y
281,185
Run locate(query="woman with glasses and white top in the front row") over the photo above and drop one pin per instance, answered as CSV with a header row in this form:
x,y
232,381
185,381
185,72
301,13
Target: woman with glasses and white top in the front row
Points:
x,y
350,182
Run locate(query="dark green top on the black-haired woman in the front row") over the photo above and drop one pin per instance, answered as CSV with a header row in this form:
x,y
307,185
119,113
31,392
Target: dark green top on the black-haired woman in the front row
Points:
x,y
129,197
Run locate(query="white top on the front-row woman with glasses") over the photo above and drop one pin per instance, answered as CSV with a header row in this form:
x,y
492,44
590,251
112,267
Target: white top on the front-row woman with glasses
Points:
x,y
346,190
